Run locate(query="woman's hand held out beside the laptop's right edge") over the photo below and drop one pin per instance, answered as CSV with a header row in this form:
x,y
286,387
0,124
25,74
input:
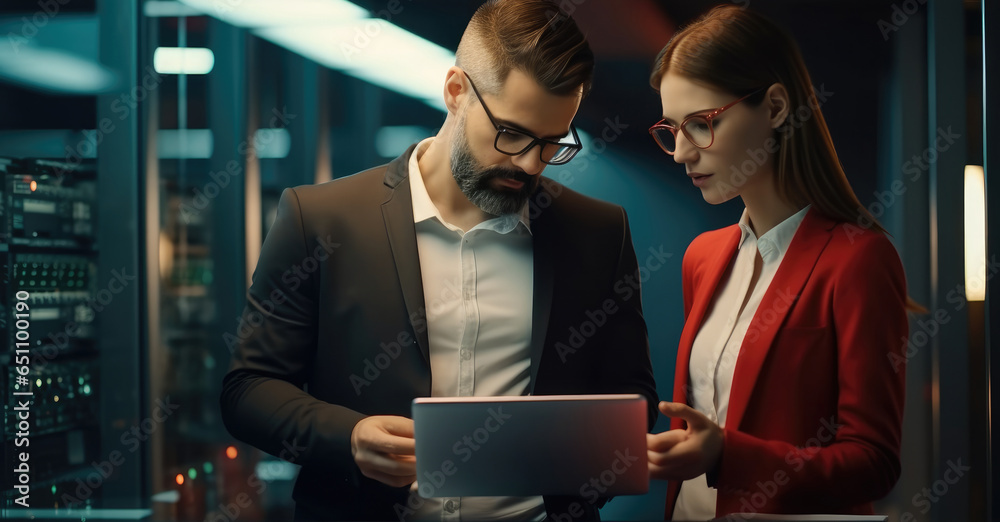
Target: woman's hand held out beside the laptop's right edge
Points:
x,y
684,454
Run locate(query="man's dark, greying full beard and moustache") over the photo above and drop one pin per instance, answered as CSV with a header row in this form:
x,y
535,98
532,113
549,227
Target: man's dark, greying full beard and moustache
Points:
x,y
476,181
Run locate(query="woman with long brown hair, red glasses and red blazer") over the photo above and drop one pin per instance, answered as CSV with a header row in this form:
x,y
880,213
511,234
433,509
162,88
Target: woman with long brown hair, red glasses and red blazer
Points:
x,y
788,392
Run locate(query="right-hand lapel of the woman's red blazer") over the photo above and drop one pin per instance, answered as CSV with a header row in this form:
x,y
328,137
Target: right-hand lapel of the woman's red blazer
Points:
x,y
803,252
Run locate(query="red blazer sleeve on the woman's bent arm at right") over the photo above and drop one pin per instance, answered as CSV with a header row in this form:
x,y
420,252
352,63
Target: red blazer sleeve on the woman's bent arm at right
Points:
x,y
862,460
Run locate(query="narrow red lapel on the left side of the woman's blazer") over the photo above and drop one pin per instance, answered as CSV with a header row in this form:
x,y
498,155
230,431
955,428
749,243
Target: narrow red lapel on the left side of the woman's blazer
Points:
x,y
710,279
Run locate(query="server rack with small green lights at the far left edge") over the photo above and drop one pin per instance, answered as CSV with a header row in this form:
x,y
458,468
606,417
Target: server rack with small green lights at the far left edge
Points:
x,y
49,329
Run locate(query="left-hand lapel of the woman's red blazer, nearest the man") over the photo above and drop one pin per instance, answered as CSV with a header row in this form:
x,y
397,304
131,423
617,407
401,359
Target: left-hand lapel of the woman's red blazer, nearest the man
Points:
x,y
704,280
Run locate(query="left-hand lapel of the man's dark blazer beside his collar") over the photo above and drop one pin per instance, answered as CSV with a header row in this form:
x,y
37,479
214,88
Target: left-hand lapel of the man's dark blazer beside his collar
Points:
x,y
397,212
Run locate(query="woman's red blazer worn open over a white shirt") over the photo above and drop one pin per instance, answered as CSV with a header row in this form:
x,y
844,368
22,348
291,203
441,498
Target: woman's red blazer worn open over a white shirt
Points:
x,y
816,406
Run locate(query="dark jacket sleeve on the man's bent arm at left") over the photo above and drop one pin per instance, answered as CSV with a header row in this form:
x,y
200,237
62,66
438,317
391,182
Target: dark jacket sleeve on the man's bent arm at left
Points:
x,y
263,402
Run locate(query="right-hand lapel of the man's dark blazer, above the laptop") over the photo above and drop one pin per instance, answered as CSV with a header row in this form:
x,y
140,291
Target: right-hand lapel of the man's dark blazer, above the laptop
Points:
x,y
542,276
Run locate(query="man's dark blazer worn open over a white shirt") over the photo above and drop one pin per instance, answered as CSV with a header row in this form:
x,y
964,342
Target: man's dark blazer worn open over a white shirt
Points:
x,y
335,330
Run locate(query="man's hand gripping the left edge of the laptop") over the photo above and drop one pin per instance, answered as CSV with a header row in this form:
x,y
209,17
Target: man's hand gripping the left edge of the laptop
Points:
x,y
384,449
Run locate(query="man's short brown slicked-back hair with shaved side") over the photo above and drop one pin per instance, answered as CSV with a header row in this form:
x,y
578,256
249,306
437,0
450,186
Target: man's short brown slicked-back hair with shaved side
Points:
x,y
535,37
